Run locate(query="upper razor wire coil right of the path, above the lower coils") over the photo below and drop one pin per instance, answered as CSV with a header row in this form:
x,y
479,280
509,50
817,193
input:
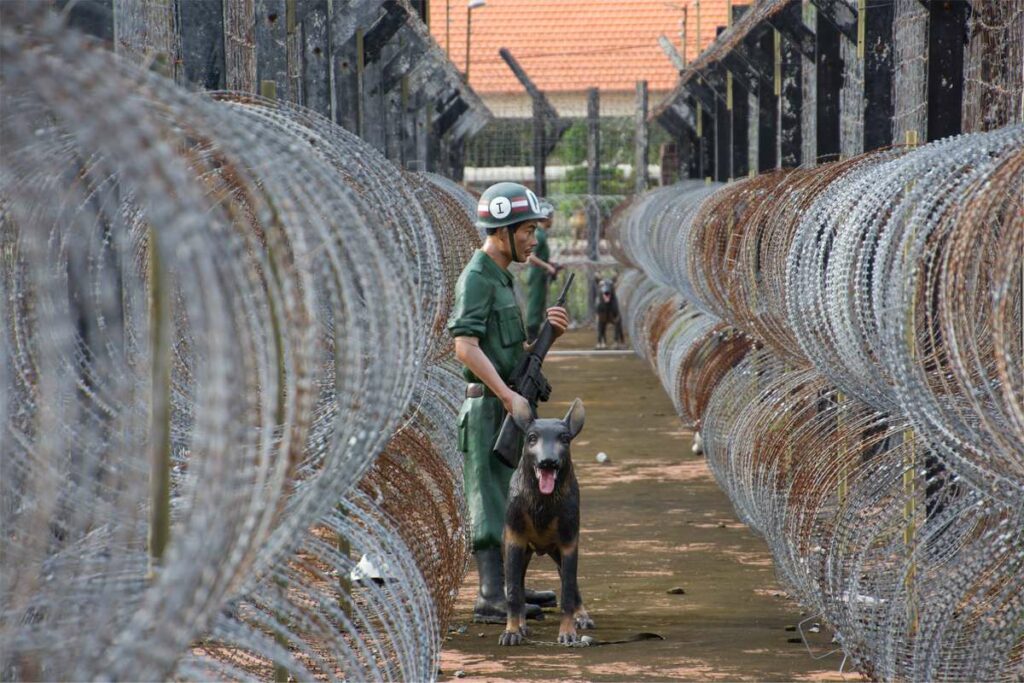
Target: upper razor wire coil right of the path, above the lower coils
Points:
x,y
825,268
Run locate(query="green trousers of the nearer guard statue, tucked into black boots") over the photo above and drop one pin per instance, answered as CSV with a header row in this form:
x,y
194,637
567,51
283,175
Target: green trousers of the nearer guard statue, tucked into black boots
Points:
x,y
486,478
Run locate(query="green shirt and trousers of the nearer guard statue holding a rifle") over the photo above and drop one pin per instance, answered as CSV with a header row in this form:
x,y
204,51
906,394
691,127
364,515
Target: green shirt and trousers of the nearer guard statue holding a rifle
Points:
x,y
486,308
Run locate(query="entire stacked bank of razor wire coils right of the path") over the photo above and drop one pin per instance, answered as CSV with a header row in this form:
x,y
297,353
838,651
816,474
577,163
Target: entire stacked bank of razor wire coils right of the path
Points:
x,y
862,401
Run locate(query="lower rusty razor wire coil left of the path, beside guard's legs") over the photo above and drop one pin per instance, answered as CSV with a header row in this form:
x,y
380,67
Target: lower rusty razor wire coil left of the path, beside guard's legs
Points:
x,y
331,624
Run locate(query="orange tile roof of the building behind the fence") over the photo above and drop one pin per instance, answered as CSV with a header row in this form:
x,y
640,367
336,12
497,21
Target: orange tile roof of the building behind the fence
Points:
x,y
572,46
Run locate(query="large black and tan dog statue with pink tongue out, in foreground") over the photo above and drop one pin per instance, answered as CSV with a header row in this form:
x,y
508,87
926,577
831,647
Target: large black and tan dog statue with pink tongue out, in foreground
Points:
x,y
543,518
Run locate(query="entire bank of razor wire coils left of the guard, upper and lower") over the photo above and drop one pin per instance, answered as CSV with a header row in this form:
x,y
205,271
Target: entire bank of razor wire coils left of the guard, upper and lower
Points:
x,y
218,313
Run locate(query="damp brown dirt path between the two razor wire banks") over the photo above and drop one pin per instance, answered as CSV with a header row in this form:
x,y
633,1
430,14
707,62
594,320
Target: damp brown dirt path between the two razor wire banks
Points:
x,y
653,521
